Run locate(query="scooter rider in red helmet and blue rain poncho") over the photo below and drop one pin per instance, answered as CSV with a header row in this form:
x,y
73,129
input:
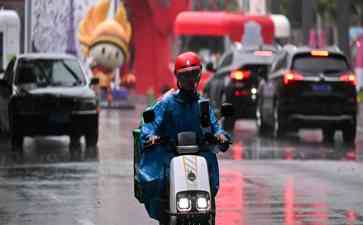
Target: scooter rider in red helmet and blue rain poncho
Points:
x,y
177,111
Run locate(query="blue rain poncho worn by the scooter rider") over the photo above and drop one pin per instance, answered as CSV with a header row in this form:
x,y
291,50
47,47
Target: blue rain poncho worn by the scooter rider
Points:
x,y
174,113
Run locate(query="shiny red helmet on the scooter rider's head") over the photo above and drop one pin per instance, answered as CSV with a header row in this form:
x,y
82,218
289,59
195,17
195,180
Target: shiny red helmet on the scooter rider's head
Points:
x,y
187,61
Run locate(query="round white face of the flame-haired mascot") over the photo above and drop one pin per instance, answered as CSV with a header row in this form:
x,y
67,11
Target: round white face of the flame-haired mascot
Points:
x,y
107,55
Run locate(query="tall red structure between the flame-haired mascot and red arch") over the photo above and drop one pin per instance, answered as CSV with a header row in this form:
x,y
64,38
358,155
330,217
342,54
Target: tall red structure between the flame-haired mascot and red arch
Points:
x,y
152,23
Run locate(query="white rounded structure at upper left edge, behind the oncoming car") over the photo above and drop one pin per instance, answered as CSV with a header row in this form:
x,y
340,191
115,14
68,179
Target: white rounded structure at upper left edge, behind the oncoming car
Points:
x,y
9,36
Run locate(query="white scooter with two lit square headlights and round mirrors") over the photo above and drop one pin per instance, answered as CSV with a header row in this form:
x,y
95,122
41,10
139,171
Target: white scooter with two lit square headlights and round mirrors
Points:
x,y
188,199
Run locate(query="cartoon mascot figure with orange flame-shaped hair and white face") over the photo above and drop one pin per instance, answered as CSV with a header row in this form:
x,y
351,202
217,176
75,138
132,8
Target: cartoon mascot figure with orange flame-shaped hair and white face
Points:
x,y
105,42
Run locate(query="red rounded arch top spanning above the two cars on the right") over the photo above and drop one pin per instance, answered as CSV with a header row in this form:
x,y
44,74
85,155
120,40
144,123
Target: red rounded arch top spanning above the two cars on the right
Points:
x,y
221,24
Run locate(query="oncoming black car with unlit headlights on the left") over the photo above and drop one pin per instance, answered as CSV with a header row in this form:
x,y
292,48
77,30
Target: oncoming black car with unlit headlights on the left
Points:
x,y
43,94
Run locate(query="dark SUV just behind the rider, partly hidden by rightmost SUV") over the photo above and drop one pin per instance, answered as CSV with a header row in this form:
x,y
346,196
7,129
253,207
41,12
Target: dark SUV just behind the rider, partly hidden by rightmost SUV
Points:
x,y
236,80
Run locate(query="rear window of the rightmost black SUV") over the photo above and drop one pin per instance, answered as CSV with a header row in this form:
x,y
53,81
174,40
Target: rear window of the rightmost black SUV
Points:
x,y
332,65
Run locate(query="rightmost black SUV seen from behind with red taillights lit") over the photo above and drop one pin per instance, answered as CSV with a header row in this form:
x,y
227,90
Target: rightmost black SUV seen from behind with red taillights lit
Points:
x,y
309,88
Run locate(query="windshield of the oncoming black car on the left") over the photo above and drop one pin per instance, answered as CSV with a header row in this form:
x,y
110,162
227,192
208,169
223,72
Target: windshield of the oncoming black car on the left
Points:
x,y
49,72
